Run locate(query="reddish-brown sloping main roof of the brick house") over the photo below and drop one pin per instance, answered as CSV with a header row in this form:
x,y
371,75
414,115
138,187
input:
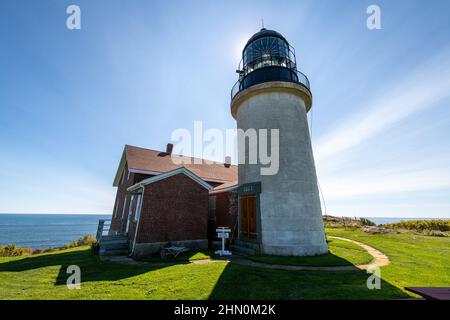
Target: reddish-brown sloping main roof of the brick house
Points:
x,y
154,162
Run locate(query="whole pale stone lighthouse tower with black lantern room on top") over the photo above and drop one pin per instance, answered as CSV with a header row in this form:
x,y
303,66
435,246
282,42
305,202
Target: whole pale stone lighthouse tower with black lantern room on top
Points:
x,y
279,213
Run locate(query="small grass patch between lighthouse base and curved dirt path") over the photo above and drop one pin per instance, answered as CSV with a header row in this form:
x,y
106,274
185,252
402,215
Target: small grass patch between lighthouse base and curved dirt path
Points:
x,y
341,253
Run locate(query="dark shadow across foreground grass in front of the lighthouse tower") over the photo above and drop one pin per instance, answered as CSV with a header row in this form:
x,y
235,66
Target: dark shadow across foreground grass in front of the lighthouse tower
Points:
x,y
244,283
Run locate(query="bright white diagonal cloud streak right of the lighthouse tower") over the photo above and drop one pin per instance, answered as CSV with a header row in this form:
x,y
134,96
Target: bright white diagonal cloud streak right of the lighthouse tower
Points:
x,y
416,91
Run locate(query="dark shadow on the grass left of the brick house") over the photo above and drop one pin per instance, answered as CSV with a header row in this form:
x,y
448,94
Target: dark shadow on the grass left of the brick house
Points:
x,y
92,269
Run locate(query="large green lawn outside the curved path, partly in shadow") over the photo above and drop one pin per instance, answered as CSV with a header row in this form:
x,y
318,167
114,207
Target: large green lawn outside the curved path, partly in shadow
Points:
x,y
415,260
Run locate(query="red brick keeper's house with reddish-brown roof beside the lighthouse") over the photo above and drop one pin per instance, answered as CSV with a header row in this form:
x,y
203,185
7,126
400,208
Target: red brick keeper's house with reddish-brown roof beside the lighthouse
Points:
x,y
160,202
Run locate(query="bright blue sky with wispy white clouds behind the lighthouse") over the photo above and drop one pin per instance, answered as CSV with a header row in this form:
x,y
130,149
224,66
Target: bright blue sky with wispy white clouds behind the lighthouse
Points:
x,y
138,70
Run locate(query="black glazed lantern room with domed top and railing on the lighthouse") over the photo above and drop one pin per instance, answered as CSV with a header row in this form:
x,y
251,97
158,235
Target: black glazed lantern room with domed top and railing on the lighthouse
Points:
x,y
267,56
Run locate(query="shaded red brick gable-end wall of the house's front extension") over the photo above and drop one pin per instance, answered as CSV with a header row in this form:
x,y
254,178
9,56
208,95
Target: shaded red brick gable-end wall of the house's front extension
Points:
x,y
173,209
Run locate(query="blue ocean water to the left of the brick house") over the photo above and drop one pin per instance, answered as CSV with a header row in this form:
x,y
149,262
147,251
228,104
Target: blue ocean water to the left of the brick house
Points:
x,y
40,231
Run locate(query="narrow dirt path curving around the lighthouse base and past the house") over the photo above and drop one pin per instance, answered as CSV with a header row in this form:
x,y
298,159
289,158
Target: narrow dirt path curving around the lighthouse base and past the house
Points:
x,y
379,260
